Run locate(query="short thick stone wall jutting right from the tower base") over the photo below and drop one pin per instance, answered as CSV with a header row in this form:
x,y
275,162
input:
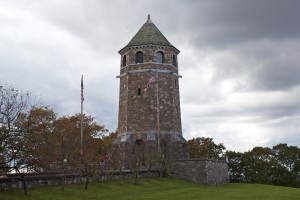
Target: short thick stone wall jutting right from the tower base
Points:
x,y
204,171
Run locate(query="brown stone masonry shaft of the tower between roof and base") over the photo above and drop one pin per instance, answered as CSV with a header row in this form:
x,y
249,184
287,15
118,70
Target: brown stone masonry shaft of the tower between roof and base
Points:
x,y
138,109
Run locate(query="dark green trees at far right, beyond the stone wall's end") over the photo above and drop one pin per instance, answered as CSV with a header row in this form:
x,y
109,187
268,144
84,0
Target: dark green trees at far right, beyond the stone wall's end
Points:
x,y
279,165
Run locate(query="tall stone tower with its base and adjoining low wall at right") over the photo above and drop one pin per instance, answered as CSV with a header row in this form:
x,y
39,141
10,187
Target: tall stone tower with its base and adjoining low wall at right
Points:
x,y
149,128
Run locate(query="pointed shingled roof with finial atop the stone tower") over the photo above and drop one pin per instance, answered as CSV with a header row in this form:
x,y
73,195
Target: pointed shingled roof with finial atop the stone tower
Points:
x,y
148,35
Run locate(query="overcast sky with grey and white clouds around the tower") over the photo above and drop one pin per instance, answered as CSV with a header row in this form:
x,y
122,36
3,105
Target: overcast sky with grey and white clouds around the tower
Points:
x,y
240,61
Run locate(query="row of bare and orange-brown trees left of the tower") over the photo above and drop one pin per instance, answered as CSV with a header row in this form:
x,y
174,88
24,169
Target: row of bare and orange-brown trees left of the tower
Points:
x,y
34,139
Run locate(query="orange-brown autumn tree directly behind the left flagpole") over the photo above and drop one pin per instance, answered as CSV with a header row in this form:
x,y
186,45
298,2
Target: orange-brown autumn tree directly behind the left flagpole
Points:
x,y
67,134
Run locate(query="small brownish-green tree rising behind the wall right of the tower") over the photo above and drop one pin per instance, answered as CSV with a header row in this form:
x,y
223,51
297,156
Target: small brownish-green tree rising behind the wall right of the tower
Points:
x,y
202,147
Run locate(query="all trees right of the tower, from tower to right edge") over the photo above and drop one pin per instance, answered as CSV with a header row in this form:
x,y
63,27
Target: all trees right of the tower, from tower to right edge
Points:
x,y
279,165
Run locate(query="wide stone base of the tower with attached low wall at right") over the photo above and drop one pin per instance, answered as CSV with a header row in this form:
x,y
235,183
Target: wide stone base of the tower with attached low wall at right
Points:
x,y
168,155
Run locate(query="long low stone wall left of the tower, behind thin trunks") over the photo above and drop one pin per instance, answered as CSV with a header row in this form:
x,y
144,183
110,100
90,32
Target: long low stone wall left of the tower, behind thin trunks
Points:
x,y
13,181
